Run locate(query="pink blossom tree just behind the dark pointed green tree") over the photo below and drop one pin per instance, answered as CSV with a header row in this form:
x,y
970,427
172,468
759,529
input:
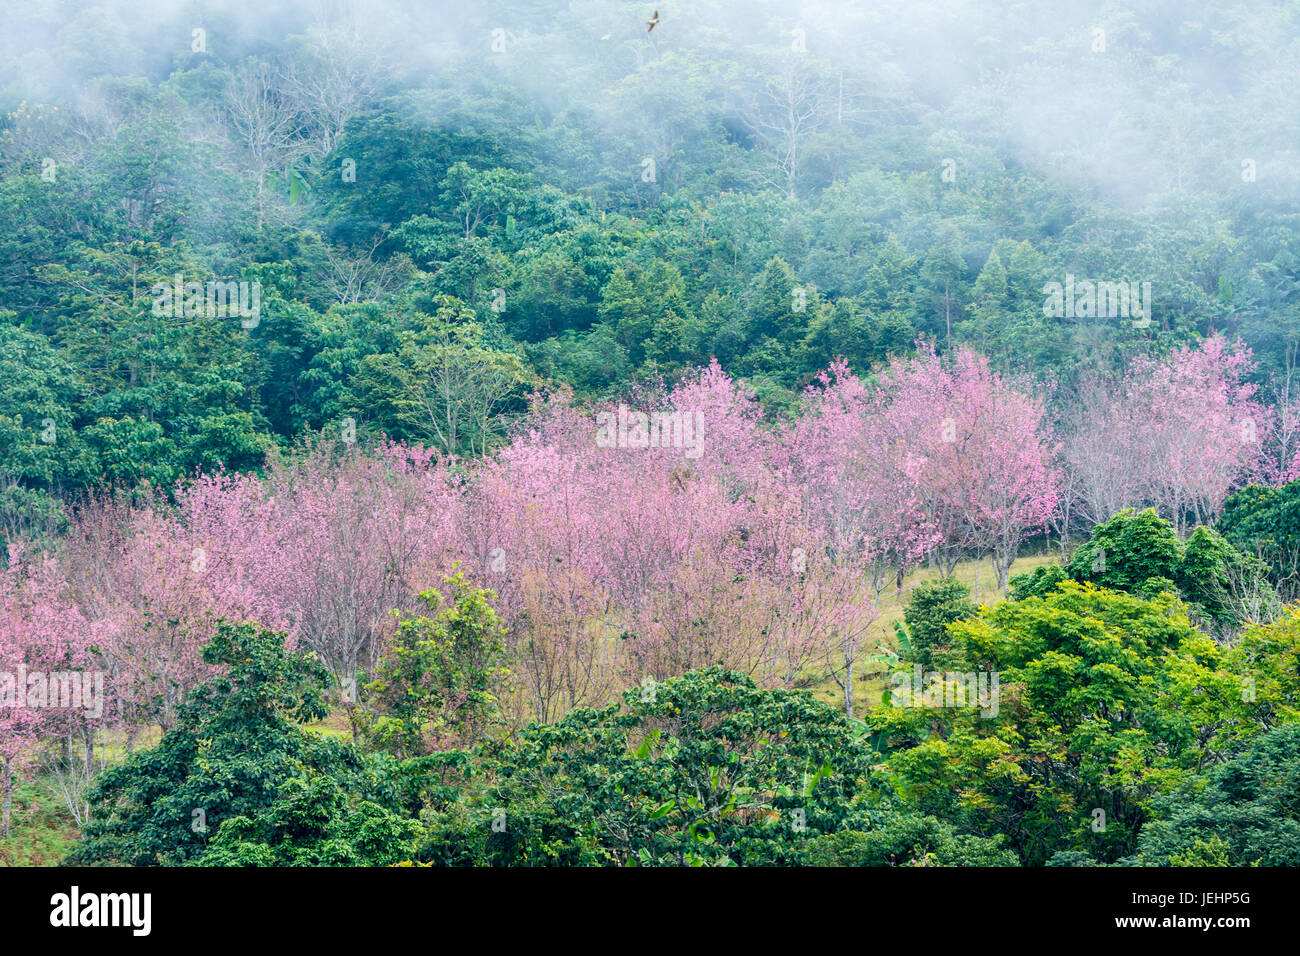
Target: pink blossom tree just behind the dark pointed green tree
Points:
x,y
327,546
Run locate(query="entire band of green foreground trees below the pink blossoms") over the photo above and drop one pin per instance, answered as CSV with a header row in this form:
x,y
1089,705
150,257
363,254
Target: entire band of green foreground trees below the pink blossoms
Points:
x,y
1107,703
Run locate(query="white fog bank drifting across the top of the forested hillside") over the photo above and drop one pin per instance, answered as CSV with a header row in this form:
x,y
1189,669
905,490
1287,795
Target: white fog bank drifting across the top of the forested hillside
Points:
x,y
1138,102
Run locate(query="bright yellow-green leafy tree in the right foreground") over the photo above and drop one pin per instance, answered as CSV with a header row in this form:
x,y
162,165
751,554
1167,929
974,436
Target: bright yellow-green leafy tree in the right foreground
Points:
x,y
1106,702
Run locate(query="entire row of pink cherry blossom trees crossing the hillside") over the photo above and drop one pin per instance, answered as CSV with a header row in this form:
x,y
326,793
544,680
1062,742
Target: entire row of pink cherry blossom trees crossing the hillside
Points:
x,y
616,559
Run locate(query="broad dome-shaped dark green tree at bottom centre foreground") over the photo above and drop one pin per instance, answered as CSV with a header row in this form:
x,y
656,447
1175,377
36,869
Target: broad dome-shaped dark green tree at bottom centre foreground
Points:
x,y
705,769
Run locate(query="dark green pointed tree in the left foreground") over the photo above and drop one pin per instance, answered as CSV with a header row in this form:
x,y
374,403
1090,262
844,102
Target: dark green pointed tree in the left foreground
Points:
x,y
237,781
